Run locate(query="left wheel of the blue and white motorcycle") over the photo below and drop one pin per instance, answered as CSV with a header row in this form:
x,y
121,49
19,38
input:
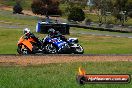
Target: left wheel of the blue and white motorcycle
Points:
x,y
51,49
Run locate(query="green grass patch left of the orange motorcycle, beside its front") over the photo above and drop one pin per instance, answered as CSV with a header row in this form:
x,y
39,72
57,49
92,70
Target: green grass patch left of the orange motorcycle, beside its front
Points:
x,y
8,39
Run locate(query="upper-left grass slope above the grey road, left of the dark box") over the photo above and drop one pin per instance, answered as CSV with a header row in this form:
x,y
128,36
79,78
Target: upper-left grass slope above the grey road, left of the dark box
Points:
x,y
17,18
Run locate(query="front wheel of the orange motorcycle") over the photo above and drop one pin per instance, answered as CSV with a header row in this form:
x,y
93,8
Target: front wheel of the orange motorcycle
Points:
x,y
22,49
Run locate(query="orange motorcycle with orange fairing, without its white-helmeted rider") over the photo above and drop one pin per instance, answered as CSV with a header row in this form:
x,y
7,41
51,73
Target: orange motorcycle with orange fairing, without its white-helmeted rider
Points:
x,y
27,46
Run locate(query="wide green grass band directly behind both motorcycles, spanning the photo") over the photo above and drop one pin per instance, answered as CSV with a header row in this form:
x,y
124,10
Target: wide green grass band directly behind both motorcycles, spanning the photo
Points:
x,y
91,44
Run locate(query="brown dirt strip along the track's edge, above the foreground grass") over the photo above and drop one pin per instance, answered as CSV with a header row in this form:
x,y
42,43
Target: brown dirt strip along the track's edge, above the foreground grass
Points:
x,y
36,60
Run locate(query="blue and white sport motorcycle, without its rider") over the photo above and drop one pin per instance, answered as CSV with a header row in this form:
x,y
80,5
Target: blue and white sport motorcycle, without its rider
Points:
x,y
58,46
